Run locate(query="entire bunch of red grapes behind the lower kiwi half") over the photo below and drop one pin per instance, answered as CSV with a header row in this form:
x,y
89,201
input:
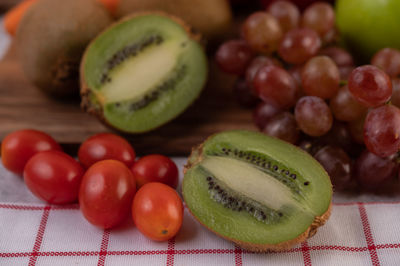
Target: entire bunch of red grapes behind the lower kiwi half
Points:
x,y
312,94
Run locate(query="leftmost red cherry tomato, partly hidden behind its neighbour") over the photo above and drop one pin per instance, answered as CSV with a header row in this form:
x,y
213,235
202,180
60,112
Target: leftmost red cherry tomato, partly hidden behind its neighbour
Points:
x,y
19,146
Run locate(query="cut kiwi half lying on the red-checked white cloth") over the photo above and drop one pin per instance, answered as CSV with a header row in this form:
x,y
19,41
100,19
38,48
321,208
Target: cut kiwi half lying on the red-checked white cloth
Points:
x,y
257,191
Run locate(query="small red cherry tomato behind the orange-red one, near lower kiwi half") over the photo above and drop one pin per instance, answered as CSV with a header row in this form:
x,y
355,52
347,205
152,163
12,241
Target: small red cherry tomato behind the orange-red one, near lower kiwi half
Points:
x,y
155,168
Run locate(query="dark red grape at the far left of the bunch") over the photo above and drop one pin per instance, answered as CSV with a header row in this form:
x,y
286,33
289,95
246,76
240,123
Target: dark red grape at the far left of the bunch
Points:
x,y
233,56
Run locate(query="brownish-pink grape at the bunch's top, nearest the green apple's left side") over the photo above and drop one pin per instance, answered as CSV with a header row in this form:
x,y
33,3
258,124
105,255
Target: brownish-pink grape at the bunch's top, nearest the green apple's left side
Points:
x,y
319,17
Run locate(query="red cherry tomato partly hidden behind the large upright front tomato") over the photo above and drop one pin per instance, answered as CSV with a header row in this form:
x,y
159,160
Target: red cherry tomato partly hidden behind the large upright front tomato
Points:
x,y
106,146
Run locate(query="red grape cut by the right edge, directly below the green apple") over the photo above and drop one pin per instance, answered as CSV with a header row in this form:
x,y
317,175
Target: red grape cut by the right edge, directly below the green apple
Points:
x,y
388,59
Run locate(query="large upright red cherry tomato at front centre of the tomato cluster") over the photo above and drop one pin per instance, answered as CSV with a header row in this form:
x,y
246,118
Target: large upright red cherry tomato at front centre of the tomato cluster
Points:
x,y
106,193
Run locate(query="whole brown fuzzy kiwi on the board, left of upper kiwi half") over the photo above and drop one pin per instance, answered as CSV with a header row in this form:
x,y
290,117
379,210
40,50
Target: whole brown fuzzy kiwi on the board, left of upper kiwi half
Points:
x,y
51,39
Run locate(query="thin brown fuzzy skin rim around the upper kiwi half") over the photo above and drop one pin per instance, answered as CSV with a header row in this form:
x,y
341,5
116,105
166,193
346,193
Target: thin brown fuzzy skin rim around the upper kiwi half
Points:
x,y
85,90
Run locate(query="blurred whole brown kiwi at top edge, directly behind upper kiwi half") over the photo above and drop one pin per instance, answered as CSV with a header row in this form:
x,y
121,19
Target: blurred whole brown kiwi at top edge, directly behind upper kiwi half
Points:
x,y
211,18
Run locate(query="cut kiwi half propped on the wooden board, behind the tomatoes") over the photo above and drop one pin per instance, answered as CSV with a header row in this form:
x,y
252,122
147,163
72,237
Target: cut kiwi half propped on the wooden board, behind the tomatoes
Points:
x,y
142,72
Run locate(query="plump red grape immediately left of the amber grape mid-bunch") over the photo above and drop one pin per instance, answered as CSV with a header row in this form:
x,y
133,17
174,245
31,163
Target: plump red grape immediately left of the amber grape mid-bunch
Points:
x,y
275,85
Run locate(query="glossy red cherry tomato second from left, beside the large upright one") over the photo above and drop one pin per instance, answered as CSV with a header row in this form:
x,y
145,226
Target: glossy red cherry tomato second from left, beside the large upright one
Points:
x,y
54,177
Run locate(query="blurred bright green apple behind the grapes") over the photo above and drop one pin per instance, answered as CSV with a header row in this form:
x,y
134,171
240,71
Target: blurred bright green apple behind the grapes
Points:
x,y
369,25
